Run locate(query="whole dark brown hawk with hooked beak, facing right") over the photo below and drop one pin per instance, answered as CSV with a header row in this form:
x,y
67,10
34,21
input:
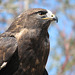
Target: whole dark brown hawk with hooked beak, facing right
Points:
x,y
24,47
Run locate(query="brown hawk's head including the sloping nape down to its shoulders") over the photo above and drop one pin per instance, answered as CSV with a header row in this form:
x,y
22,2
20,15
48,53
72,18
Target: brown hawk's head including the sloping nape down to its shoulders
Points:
x,y
33,18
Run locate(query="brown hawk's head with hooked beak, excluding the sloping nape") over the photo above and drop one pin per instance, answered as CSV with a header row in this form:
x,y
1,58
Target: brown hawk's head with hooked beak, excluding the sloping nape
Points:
x,y
39,18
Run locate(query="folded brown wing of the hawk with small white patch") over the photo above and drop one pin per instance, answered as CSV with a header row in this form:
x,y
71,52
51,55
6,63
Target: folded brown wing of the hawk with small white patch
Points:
x,y
8,46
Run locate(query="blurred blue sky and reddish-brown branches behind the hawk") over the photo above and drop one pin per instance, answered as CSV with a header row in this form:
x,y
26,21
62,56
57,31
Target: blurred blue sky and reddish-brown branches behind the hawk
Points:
x,y
61,60
